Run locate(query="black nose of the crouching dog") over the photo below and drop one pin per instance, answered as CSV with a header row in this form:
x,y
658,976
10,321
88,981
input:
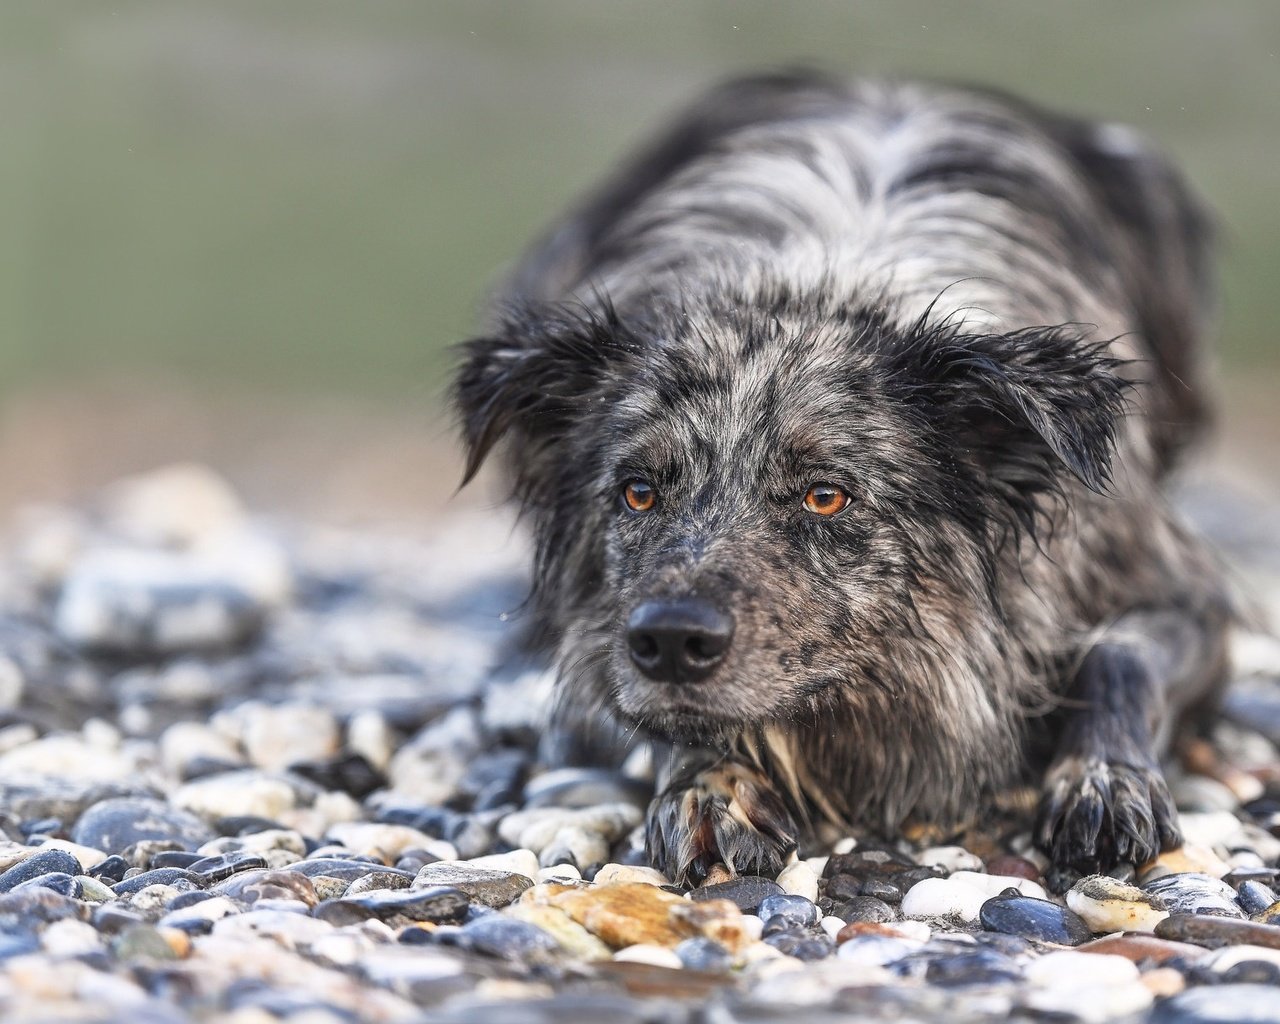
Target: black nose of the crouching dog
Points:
x,y
679,641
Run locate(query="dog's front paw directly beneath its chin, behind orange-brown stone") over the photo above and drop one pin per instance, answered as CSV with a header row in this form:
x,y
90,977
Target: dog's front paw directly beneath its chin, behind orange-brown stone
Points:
x,y
728,815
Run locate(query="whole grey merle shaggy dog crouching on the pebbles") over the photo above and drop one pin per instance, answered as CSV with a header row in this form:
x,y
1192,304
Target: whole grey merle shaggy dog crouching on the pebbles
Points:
x,y
840,414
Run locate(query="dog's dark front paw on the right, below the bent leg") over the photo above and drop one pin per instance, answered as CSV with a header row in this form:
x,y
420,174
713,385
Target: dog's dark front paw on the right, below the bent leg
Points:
x,y
1096,815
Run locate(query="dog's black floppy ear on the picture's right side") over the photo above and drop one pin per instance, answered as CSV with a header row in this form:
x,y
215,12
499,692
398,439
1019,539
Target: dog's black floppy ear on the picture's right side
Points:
x,y
1025,406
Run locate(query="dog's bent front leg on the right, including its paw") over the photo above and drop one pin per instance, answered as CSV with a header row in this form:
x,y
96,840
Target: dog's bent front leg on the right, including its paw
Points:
x,y
1105,796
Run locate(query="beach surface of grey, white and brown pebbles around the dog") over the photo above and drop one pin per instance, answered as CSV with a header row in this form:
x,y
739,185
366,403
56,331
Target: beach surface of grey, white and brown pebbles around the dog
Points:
x,y
257,771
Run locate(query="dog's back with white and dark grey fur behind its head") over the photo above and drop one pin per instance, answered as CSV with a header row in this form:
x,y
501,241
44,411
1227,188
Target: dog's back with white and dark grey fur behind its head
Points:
x,y
956,203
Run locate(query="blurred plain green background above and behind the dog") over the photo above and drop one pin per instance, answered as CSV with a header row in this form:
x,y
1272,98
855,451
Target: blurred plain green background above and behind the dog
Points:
x,y
309,198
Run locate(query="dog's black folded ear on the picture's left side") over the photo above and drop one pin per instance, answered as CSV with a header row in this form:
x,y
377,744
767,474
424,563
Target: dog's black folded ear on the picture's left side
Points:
x,y
533,376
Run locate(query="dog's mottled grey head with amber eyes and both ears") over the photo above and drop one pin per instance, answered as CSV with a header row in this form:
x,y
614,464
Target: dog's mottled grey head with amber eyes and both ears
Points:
x,y
743,511
